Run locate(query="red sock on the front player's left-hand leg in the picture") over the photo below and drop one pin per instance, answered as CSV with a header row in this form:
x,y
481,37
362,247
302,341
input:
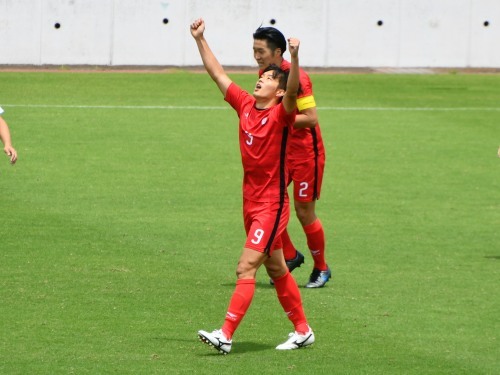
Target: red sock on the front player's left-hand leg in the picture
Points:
x,y
238,306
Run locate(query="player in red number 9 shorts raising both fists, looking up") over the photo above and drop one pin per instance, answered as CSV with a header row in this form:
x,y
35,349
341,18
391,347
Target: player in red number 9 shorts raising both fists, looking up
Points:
x,y
265,118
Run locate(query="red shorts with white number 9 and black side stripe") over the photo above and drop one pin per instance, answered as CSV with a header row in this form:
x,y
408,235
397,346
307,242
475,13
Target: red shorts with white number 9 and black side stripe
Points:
x,y
264,223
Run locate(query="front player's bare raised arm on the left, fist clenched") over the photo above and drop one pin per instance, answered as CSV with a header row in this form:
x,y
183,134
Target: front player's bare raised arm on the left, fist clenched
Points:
x,y
213,67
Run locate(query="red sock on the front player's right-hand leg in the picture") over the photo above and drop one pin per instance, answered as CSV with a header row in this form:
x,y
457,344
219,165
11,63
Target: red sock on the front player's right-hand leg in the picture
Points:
x,y
289,297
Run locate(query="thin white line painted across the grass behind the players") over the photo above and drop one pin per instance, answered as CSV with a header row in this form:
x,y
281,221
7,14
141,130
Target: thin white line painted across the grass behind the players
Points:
x,y
206,108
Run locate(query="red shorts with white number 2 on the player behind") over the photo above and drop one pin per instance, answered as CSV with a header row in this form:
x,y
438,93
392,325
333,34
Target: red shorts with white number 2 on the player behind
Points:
x,y
307,177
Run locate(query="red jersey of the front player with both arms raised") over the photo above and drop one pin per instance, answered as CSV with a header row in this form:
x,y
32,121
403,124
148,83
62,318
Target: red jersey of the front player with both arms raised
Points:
x,y
263,136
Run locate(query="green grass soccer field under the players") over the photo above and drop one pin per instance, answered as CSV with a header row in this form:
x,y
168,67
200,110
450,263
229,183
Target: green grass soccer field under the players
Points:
x,y
121,228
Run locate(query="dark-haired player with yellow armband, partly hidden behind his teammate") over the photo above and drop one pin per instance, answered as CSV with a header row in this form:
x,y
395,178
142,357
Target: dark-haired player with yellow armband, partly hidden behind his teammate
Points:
x,y
305,159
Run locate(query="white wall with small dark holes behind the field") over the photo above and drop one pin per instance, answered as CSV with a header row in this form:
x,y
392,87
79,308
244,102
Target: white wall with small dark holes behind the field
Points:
x,y
334,33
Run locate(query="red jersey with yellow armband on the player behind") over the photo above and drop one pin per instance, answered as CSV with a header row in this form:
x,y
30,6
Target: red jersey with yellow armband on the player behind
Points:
x,y
303,143
